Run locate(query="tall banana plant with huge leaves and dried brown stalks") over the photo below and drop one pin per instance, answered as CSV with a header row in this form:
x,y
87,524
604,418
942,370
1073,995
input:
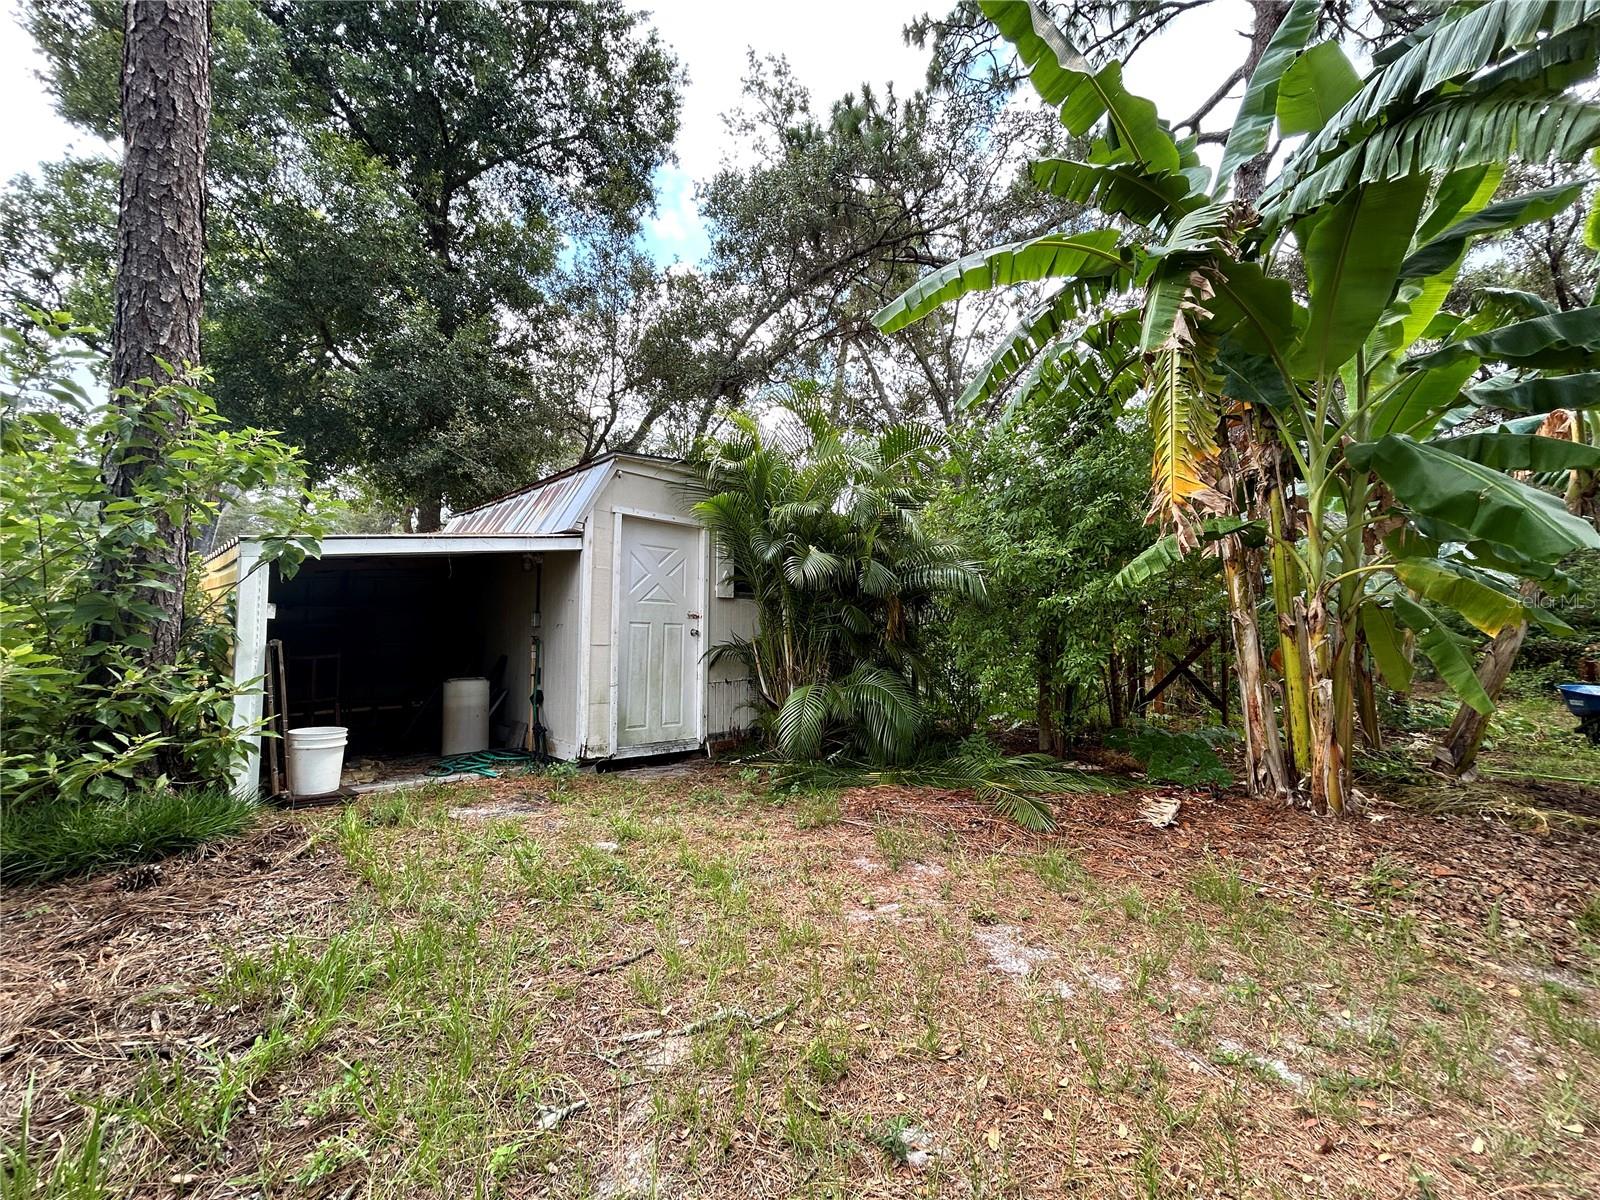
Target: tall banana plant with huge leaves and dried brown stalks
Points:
x,y
1353,430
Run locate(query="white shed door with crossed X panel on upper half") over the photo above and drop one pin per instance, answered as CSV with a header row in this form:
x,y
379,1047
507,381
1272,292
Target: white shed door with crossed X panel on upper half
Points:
x,y
660,634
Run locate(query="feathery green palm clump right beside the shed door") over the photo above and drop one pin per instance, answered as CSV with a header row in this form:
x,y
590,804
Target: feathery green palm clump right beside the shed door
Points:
x,y
825,527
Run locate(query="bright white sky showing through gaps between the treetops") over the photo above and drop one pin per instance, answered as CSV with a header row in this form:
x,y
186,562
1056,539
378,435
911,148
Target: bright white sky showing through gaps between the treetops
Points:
x,y
834,46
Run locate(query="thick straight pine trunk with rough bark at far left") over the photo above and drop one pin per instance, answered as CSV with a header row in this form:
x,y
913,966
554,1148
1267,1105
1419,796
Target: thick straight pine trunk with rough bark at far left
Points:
x,y
161,252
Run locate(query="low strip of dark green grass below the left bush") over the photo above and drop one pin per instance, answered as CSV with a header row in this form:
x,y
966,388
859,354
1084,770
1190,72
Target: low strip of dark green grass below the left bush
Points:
x,y
44,842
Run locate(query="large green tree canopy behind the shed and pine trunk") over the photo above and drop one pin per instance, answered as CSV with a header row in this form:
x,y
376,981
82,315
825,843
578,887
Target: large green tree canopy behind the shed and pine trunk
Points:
x,y
393,190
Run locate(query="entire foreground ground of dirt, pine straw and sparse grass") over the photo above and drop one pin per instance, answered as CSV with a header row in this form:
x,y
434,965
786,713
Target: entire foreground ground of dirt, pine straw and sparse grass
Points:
x,y
690,986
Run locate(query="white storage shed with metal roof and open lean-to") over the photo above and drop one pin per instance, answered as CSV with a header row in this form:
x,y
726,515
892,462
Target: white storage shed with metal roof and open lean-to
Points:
x,y
594,588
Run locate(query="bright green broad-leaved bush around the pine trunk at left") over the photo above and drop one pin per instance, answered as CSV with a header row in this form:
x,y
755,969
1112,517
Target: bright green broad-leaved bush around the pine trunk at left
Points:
x,y
84,714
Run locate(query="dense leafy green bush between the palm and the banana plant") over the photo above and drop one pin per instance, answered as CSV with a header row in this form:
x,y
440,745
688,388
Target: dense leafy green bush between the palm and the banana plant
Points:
x,y
1054,502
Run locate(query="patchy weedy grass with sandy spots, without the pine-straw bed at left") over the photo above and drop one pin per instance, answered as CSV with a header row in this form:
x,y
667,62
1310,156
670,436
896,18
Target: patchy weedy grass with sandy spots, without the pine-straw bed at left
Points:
x,y
729,996
